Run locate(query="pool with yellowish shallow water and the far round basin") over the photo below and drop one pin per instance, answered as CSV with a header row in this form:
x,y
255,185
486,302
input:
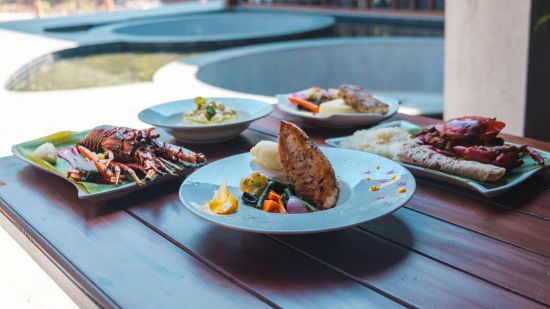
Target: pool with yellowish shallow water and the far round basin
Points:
x,y
139,48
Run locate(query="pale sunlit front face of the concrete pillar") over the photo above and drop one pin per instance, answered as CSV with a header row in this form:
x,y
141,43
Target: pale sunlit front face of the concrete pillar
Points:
x,y
486,52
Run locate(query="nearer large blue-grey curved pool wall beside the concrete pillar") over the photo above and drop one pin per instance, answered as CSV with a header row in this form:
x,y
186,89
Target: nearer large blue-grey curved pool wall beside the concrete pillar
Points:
x,y
409,69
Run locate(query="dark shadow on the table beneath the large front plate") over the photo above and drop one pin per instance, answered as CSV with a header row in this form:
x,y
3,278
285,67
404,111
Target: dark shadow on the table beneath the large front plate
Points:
x,y
354,251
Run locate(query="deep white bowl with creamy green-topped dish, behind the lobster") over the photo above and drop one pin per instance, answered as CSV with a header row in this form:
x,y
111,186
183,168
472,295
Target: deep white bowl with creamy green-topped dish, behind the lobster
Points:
x,y
169,116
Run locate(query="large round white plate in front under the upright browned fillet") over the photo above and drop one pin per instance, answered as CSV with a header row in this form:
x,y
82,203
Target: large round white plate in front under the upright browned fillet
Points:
x,y
356,172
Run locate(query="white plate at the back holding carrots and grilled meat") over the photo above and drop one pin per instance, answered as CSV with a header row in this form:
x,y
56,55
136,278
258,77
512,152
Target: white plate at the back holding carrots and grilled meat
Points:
x,y
346,120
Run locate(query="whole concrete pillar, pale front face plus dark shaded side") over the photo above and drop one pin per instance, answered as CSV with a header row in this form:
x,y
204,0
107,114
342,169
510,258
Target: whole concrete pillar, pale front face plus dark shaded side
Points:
x,y
497,63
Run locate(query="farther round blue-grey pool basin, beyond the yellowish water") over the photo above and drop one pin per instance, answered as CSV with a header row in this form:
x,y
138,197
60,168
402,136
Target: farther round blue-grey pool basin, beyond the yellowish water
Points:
x,y
217,29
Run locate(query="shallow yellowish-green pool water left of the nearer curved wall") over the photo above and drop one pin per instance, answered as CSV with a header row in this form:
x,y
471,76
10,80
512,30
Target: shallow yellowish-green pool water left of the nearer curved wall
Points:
x,y
106,69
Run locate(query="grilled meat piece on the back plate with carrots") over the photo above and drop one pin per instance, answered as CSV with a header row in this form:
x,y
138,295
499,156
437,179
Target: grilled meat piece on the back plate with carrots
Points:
x,y
362,101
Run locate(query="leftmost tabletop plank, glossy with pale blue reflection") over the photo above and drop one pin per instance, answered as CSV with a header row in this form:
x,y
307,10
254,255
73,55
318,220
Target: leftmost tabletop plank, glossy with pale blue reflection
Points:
x,y
117,259
